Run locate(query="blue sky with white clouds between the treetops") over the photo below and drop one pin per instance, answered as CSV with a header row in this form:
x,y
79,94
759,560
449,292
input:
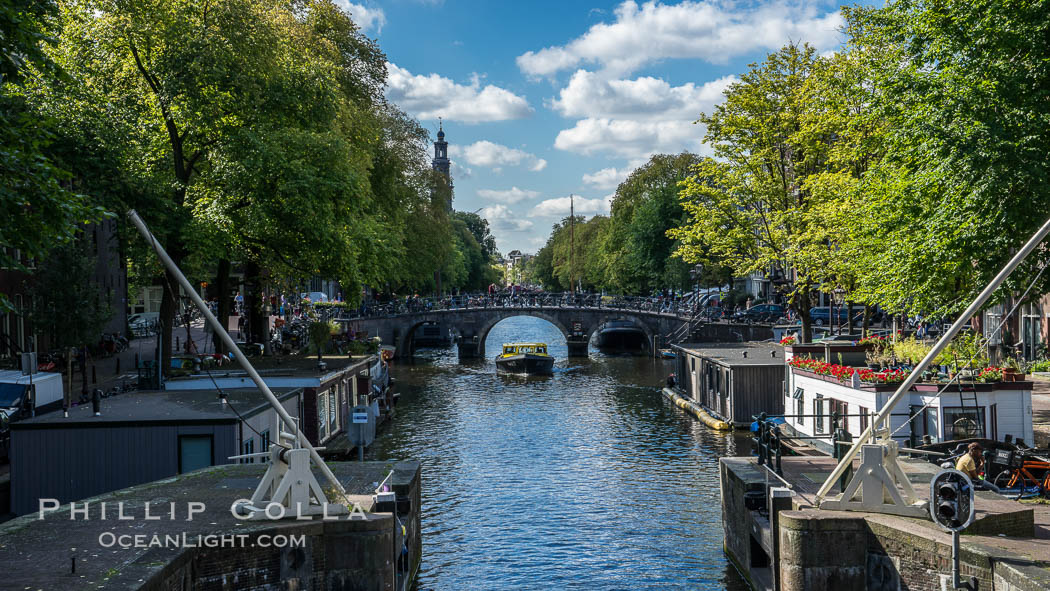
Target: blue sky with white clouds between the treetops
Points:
x,y
544,99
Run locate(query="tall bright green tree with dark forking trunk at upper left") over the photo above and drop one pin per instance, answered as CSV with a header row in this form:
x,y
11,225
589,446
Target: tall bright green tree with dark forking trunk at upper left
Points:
x,y
179,79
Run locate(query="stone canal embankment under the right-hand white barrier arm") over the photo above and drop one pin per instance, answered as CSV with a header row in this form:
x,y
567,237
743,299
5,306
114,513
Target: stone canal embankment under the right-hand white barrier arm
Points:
x,y
780,541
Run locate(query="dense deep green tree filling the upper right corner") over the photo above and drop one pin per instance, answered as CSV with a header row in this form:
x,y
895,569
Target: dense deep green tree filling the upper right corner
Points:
x,y
964,179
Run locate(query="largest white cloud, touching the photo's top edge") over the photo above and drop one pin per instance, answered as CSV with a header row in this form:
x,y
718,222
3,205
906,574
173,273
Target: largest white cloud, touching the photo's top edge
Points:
x,y
710,31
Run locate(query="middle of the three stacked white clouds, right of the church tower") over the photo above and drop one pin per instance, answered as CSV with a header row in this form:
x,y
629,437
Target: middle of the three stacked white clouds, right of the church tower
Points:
x,y
591,95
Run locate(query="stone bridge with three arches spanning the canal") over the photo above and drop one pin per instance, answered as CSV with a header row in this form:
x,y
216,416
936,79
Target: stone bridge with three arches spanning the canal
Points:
x,y
471,326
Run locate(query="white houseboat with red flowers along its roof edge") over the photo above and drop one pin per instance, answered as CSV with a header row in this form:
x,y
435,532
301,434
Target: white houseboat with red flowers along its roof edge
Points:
x,y
821,387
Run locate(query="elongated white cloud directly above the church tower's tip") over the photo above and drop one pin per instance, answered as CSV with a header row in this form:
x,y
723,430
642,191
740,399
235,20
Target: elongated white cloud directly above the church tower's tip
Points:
x,y
434,96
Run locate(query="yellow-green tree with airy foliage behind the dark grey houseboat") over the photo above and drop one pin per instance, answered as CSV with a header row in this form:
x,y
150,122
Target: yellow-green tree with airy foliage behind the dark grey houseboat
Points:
x,y
751,209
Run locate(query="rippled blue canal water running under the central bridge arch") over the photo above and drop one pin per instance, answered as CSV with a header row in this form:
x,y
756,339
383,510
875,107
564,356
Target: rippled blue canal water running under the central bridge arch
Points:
x,y
587,479
